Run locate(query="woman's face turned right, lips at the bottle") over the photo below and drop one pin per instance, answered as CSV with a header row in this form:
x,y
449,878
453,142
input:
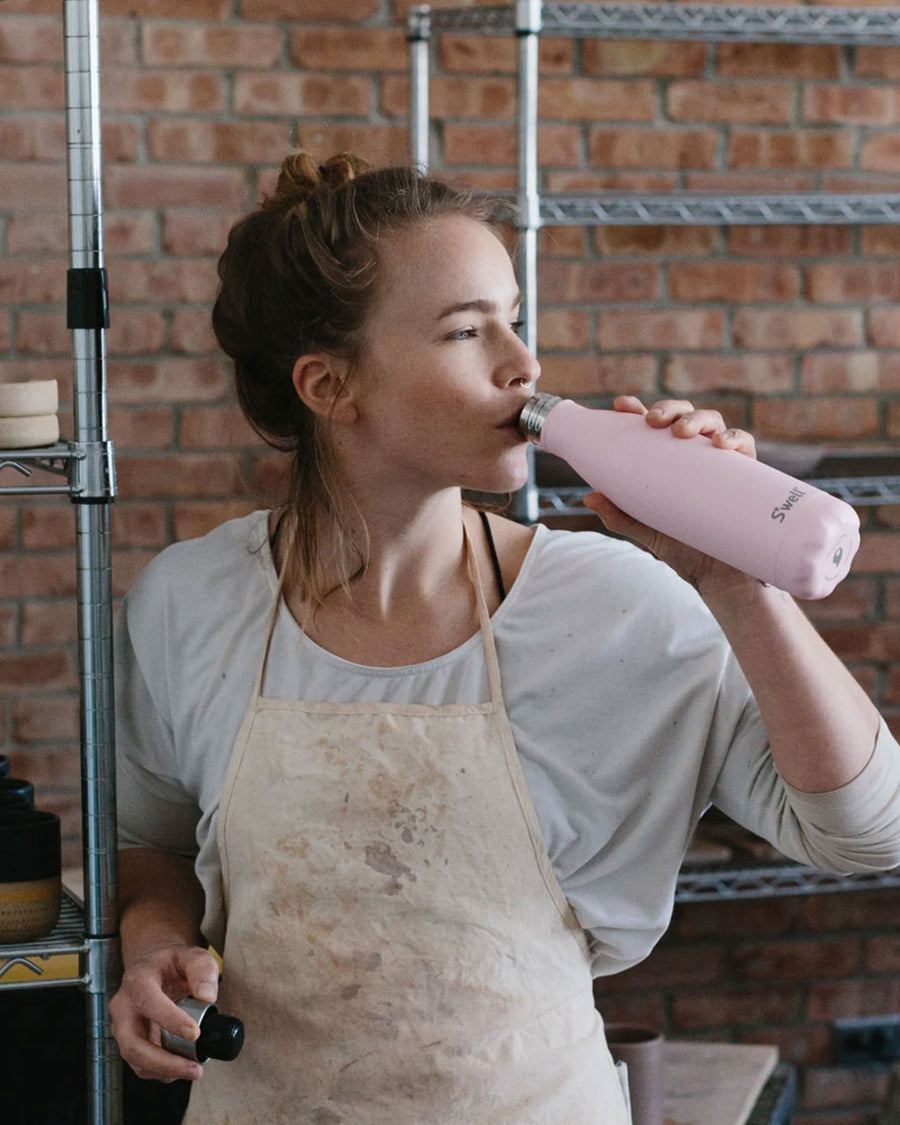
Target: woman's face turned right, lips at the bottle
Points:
x,y
444,373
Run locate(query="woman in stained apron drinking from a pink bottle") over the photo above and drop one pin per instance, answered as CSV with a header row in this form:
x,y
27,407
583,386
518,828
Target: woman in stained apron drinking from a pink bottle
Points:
x,y
421,773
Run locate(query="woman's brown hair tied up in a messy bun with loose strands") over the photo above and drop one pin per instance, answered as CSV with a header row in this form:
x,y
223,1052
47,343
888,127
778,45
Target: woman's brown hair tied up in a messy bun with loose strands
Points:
x,y
300,275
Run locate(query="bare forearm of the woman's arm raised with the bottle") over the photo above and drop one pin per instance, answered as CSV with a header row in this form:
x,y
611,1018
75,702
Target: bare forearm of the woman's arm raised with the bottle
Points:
x,y
822,726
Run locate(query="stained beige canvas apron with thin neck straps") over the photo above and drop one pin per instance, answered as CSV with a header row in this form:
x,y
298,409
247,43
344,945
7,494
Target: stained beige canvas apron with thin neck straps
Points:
x,y
398,943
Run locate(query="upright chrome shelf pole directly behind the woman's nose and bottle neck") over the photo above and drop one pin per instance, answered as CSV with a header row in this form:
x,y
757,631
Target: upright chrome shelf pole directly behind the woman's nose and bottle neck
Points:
x,y
528,25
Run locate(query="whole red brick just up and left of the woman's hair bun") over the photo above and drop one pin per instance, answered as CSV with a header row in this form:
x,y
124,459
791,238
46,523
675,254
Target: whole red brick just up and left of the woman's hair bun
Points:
x,y
197,141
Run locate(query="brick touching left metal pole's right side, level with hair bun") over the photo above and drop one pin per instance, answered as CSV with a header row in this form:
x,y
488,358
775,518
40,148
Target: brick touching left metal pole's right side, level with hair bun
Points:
x,y
154,186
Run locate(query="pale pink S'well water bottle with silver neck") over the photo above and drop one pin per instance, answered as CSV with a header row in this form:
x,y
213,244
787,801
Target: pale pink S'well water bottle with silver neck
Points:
x,y
728,506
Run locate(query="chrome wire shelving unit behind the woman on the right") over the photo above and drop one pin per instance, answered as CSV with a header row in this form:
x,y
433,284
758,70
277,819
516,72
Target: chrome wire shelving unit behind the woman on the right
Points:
x,y
527,21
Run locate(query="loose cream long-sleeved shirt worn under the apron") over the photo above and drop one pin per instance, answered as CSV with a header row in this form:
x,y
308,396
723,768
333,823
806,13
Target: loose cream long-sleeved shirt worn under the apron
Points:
x,y
629,712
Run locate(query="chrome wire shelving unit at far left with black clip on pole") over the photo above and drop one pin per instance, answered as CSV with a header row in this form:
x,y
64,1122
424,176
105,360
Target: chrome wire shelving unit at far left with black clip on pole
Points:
x,y
84,949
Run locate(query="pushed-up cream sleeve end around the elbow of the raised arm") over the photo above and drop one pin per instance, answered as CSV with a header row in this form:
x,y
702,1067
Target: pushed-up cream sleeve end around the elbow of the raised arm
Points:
x,y
854,829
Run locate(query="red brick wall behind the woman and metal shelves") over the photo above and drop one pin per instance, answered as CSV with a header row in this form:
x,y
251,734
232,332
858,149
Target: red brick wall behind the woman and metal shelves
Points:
x,y
793,332
